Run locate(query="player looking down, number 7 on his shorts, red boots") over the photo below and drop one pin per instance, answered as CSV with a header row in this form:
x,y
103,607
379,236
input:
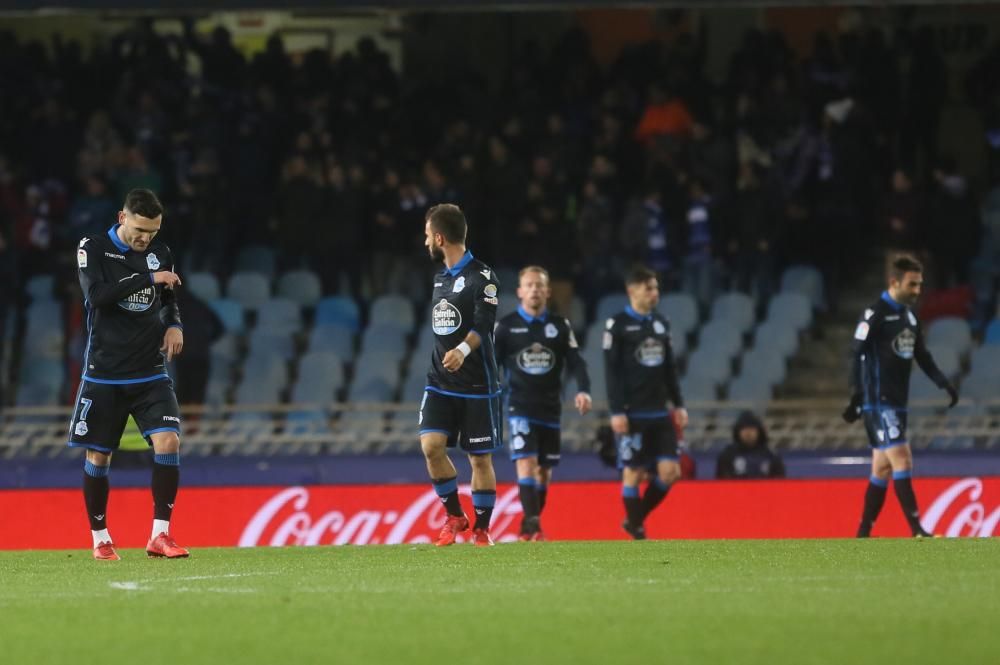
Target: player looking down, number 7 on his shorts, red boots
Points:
x,y
134,328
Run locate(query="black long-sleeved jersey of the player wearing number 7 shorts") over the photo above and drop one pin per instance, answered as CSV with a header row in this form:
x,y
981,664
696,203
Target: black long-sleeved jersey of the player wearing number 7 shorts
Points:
x,y
126,313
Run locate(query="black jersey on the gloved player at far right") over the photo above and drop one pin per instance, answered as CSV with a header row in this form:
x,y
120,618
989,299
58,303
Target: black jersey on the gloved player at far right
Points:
x,y
886,342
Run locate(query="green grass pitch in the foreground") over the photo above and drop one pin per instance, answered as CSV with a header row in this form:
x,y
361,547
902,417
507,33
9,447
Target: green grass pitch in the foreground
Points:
x,y
822,601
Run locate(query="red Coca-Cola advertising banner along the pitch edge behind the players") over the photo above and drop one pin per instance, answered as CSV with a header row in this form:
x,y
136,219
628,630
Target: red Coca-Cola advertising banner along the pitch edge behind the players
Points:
x,y
387,514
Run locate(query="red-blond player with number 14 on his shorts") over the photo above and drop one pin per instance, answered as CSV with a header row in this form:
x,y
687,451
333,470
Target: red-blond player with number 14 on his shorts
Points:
x,y
534,346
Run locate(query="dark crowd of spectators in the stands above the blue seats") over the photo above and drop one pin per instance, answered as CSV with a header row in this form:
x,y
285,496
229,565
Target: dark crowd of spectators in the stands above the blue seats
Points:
x,y
714,184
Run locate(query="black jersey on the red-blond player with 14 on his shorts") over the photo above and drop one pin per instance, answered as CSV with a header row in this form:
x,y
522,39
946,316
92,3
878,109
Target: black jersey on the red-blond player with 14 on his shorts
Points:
x,y
534,352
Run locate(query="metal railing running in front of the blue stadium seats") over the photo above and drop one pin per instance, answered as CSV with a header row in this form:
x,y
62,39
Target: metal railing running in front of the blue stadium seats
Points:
x,y
343,428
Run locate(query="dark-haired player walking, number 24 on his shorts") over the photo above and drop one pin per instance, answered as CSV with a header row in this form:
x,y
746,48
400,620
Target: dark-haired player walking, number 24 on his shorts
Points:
x,y
641,377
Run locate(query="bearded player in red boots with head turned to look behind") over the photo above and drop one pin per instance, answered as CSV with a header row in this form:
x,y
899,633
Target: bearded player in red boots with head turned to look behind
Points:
x,y
461,404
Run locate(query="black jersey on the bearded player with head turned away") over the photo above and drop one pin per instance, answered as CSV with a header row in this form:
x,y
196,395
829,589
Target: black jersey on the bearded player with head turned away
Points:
x,y
464,301
